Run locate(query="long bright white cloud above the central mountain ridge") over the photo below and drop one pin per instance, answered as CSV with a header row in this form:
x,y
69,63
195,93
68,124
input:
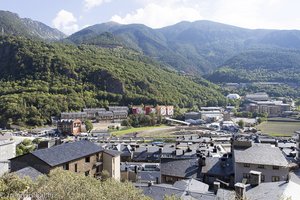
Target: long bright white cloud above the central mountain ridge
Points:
x,y
159,15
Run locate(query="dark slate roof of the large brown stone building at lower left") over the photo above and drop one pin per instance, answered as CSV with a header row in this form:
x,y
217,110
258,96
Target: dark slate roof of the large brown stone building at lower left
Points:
x,y
63,153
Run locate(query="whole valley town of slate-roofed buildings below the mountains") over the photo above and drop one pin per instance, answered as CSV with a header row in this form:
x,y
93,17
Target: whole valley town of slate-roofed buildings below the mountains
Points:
x,y
201,153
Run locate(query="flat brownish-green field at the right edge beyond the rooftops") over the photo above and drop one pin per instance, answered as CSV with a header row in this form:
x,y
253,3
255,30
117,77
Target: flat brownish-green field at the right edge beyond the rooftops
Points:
x,y
279,129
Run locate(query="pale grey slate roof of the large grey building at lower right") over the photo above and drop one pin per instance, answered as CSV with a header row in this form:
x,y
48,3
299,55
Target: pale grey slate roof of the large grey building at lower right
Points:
x,y
263,154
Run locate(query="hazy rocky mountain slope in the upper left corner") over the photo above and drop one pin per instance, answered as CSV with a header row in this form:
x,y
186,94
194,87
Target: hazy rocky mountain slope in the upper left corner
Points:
x,y
12,24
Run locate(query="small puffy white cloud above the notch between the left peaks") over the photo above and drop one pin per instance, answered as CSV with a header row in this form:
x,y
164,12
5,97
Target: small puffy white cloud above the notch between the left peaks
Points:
x,y
65,22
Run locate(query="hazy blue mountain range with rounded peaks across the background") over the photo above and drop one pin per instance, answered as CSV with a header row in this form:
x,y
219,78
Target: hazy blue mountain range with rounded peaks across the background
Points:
x,y
193,47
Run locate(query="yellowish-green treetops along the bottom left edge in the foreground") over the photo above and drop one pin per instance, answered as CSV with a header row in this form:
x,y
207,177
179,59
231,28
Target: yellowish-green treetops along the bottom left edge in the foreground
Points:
x,y
66,185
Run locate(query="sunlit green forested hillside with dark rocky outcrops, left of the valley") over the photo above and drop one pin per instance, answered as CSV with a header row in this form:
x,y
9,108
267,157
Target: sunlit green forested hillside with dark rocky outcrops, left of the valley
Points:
x,y
39,80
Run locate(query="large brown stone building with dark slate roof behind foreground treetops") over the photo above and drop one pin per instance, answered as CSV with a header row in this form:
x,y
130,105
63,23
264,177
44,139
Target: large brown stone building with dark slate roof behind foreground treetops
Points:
x,y
78,157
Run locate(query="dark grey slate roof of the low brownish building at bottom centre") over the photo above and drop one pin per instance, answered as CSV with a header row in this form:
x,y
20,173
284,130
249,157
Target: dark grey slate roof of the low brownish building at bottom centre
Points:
x,y
186,168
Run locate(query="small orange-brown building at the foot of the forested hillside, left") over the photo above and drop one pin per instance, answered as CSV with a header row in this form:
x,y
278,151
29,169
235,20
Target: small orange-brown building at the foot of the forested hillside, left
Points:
x,y
69,126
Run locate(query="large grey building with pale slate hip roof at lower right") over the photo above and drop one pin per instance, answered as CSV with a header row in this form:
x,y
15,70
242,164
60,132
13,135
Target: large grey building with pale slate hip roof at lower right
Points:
x,y
264,158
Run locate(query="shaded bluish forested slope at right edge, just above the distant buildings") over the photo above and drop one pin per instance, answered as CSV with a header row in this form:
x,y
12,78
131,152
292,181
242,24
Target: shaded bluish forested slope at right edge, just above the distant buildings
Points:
x,y
265,65
